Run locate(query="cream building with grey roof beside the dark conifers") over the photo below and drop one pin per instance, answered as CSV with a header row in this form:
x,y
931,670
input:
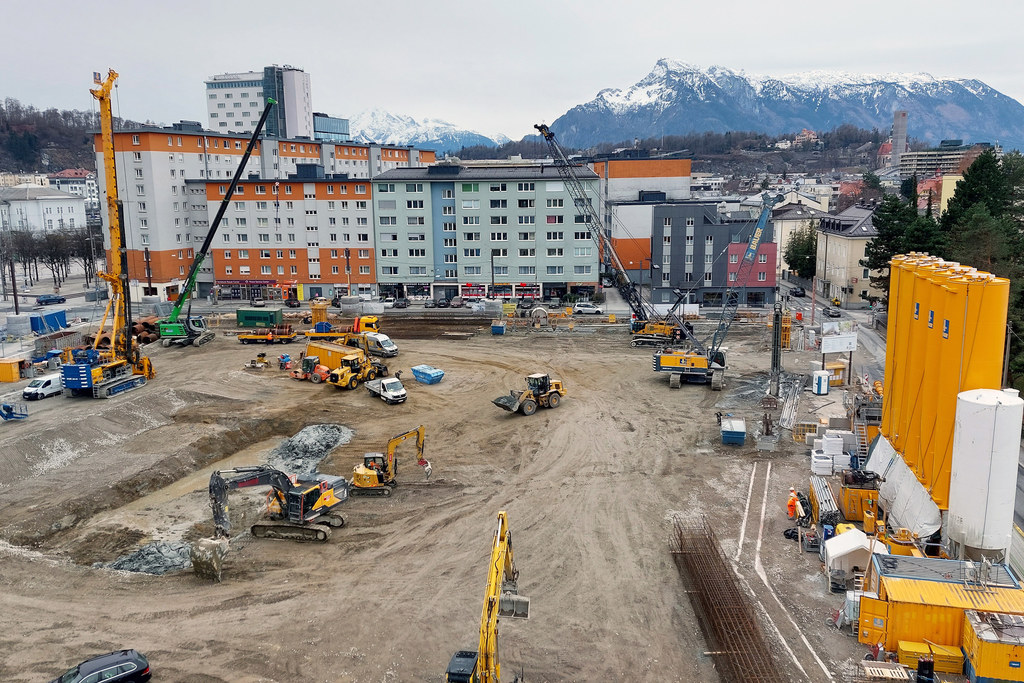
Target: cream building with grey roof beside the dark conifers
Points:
x,y
842,240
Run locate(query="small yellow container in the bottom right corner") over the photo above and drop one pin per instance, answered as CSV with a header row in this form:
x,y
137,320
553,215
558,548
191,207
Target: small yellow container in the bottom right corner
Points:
x,y
995,646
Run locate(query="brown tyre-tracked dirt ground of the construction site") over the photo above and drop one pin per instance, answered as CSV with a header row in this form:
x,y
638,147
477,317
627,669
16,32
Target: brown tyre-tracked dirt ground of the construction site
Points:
x,y
592,490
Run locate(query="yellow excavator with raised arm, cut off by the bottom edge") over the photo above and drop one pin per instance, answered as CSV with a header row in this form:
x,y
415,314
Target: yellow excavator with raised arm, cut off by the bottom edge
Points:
x,y
501,600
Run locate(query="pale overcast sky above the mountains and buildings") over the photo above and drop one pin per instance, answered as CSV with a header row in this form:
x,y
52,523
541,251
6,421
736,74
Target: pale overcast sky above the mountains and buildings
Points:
x,y
487,66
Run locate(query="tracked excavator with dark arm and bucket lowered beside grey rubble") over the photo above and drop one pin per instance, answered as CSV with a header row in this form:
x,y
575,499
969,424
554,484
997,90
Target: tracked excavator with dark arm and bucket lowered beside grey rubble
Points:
x,y
300,508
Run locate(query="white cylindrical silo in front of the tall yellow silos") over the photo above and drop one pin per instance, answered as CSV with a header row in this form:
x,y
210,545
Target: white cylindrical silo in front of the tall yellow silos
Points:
x,y
984,482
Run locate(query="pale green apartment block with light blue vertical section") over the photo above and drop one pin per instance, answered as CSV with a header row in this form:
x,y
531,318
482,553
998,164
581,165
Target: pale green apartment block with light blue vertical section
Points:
x,y
452,230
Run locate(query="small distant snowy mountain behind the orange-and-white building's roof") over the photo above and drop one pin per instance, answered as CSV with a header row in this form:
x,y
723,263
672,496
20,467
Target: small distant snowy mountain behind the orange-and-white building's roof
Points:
x,y
387,129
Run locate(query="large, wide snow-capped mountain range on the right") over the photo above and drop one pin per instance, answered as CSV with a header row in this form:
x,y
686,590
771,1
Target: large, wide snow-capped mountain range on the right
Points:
x,y
678,99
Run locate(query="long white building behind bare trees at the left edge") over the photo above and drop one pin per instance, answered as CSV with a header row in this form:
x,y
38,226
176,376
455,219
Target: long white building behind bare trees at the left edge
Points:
x,y
40,209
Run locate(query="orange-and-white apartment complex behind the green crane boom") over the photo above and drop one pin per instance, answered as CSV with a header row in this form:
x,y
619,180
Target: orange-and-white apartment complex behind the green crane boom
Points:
x,y
170,181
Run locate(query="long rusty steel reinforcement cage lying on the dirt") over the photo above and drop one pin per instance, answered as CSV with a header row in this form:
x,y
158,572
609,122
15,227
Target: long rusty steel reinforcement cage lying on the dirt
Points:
x,y
731,626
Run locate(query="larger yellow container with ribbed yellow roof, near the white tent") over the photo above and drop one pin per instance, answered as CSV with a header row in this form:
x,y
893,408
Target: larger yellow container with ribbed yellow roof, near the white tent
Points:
x,y
928,611
